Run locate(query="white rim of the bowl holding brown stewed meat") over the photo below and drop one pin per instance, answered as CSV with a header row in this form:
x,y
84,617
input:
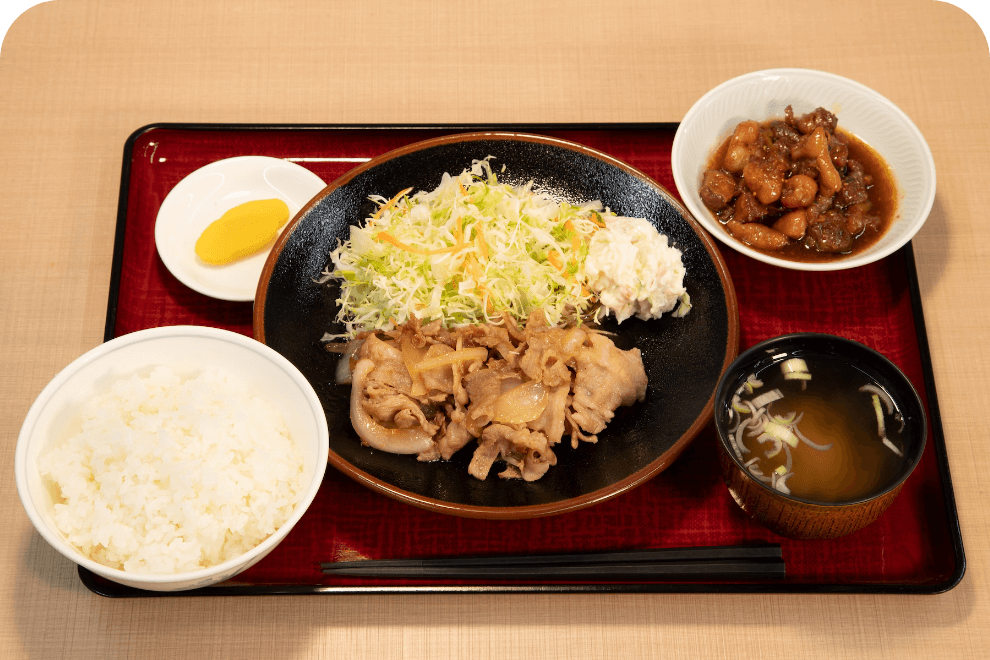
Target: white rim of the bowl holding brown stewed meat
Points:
x,y
687,188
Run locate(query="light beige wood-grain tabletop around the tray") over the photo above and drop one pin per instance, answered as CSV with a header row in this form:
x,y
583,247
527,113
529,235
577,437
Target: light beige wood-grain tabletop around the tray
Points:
x,y
76,78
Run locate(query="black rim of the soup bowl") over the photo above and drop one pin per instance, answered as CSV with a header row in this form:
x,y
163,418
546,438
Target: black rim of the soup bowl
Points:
x,y
911,394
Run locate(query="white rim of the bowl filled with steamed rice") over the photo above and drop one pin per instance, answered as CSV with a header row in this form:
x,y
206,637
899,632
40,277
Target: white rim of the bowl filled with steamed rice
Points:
x,y
194,333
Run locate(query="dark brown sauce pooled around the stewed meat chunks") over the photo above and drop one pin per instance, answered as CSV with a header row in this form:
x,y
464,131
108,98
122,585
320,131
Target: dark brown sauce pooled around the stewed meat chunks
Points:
x,y
882,194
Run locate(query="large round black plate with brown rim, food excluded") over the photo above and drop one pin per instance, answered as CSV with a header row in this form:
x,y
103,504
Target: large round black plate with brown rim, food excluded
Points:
x,y
684,357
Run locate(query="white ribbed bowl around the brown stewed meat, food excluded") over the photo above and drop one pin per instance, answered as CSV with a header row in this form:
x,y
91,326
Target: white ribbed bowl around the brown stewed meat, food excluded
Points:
x,y
764,95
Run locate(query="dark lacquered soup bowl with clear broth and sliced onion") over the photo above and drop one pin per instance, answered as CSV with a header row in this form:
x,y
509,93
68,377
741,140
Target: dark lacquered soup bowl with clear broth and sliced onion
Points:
x,y
817,434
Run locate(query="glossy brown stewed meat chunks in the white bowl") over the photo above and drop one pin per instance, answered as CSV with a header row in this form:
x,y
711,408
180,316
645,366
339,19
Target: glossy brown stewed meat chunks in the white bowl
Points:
x,y
799,187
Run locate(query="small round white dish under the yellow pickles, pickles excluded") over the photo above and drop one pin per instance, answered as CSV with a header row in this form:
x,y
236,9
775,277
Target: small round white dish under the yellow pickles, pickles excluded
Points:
x,y
207,194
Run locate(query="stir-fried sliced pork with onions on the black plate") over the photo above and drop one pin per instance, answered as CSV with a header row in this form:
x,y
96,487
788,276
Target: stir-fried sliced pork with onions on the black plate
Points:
x,y
516,392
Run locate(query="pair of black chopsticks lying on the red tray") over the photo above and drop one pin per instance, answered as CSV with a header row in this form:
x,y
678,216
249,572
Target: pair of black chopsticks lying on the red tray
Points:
x,y
742,562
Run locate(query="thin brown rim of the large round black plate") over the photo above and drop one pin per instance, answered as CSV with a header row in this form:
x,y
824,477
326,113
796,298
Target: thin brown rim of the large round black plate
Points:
x,y
534,510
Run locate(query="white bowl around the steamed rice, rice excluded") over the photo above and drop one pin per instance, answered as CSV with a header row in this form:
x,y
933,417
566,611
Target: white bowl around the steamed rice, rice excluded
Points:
x,y
187,350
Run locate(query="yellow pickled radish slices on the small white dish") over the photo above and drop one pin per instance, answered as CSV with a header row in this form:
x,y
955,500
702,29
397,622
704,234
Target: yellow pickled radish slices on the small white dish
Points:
x,y
242,231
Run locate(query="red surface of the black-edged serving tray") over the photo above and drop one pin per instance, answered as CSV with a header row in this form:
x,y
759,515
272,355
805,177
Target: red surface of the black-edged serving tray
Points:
x,y
914,546
